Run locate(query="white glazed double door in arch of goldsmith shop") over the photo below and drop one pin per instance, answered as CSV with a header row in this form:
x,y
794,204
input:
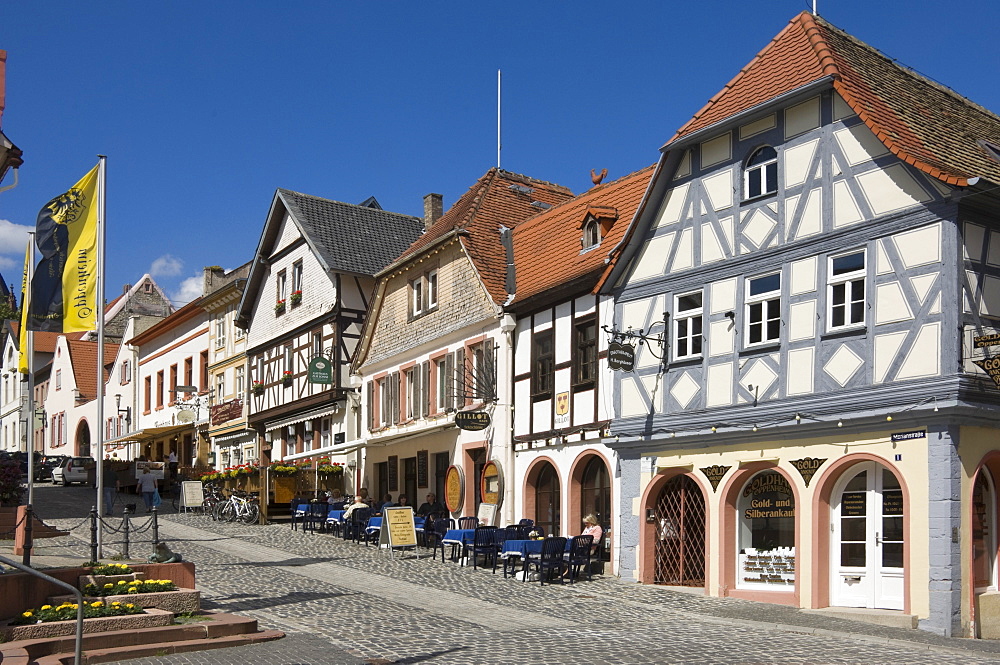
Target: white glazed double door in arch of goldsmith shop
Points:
x,y
867,544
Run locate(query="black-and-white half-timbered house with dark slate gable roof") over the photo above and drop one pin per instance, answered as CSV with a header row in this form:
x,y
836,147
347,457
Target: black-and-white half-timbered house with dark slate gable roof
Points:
x,y
306,297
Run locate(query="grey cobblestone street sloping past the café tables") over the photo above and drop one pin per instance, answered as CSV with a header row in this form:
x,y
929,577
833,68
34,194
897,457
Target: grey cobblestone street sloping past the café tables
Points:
x,y
345,603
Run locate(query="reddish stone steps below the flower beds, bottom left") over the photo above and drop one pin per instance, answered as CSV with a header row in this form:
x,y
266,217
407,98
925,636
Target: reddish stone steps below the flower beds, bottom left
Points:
x,y
221,630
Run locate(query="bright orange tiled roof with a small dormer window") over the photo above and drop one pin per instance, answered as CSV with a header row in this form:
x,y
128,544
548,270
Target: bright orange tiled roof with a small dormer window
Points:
x,y
547,248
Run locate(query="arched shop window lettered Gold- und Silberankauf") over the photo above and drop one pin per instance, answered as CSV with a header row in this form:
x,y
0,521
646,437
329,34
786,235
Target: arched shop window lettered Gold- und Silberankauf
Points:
x,y
766,533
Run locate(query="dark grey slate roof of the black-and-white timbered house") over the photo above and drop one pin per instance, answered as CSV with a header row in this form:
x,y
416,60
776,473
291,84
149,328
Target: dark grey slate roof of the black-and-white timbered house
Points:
x,y
352,238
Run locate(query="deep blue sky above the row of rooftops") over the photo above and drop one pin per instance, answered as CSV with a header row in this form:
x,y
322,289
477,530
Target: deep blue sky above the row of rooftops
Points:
x,y
205,108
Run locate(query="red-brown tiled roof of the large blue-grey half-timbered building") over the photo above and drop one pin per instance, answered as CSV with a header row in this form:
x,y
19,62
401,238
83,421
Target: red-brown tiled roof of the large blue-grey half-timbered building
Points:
x,y
922,122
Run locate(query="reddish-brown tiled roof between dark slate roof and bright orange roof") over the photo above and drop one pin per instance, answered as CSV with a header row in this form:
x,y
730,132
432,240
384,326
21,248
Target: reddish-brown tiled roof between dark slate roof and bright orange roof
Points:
x,y
499,198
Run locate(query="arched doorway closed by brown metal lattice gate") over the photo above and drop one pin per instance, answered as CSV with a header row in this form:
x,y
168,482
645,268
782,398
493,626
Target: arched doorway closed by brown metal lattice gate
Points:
x,y
680,534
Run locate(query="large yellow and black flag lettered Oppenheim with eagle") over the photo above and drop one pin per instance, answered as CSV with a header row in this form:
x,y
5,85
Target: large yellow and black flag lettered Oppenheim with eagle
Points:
x,y
64,286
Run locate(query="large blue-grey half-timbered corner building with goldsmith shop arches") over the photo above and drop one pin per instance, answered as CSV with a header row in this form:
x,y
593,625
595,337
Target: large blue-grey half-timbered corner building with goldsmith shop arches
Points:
x,y
812,267
